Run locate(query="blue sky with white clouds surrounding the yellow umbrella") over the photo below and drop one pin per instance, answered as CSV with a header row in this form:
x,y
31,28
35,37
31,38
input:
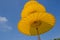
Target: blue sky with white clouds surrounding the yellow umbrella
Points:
x,y
10,15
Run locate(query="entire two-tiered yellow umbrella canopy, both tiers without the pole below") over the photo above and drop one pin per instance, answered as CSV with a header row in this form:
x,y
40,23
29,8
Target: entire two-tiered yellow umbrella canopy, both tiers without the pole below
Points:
x,y
35,20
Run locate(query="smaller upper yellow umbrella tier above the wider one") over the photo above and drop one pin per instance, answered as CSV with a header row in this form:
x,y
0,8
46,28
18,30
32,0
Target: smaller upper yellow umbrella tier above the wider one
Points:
x,y
32,7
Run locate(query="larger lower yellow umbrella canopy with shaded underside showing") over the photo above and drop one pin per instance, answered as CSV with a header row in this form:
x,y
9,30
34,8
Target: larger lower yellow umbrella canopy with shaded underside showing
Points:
x,y
37,22
